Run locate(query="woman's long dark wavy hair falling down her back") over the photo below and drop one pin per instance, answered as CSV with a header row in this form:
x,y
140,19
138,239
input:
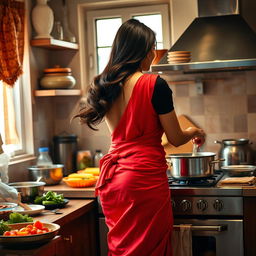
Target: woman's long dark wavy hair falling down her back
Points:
x,y
131,45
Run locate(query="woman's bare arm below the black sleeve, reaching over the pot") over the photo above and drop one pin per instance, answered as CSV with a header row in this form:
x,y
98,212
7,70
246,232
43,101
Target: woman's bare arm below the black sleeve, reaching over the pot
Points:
x,y
175,135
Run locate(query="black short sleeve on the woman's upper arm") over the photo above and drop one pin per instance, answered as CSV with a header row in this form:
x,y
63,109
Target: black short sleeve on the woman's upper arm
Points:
x,y
162,97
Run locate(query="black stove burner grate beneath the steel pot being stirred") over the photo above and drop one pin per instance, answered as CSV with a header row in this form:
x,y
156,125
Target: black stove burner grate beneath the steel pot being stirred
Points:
x,y
200,182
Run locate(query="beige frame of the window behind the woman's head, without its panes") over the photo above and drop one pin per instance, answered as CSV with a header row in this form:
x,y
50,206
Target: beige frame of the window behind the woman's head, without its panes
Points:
x,y
124,13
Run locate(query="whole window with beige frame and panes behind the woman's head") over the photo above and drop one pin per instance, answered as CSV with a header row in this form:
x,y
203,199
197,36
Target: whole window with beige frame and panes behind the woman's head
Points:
x,y
103,25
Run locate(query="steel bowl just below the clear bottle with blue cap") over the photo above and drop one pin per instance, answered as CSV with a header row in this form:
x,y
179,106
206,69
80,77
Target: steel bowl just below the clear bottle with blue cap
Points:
x,y
51,174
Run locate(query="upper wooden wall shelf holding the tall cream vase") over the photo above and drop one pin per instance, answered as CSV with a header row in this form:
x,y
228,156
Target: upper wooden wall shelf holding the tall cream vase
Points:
x,y
53,44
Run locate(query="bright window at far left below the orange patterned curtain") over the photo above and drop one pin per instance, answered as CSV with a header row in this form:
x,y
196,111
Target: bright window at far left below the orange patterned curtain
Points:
x,y
22,109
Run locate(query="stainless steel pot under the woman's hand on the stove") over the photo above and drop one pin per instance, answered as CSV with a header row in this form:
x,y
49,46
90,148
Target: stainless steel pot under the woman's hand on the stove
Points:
x,y
188,166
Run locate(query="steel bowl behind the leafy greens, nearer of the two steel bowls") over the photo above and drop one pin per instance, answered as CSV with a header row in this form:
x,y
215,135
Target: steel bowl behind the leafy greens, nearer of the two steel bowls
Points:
x,y
29,190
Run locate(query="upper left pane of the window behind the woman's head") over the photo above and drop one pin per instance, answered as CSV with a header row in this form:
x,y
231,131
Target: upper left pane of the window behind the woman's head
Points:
x,y
106,30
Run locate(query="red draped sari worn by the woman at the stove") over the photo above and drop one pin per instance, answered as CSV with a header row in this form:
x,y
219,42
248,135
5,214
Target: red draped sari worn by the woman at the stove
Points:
x,y
133,186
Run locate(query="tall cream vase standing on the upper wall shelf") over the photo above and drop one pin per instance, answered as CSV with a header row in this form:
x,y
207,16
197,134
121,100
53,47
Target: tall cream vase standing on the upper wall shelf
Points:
x,y
42,19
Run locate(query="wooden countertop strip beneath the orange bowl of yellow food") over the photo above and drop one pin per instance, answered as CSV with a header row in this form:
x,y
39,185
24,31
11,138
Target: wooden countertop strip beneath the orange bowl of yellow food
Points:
x,y
69,192
